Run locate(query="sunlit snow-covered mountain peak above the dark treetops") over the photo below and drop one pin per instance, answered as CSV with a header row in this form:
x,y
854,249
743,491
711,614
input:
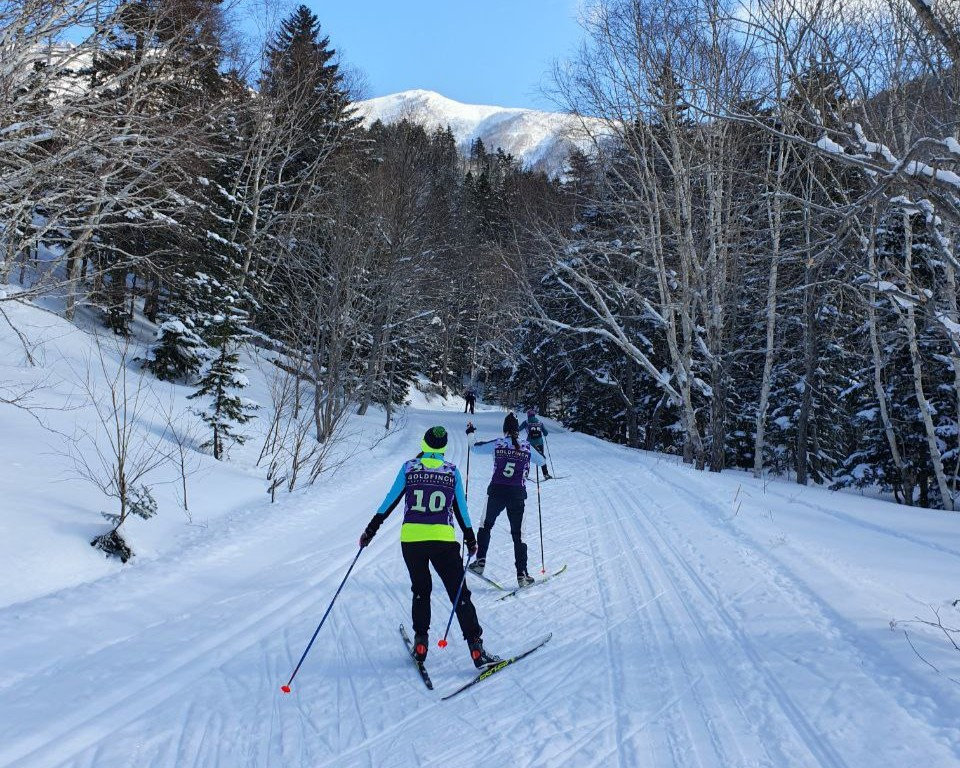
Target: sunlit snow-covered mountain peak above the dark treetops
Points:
x,y
541,139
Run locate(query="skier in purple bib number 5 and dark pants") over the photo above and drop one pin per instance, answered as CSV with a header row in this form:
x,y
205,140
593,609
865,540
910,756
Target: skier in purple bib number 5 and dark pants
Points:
x,y
507,491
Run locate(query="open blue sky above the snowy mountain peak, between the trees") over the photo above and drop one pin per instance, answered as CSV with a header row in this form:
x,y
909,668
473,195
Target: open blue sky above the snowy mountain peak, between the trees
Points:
x,y
476,51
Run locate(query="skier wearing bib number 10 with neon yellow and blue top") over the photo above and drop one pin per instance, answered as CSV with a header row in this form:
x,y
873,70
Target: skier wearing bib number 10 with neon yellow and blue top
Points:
x,y
432,492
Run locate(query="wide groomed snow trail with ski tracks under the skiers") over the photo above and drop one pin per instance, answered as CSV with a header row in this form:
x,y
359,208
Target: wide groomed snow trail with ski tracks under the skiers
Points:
x,y
704,620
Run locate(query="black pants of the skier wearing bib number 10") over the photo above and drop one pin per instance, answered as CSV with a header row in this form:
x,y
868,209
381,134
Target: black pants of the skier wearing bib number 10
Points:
x,y
444,556
